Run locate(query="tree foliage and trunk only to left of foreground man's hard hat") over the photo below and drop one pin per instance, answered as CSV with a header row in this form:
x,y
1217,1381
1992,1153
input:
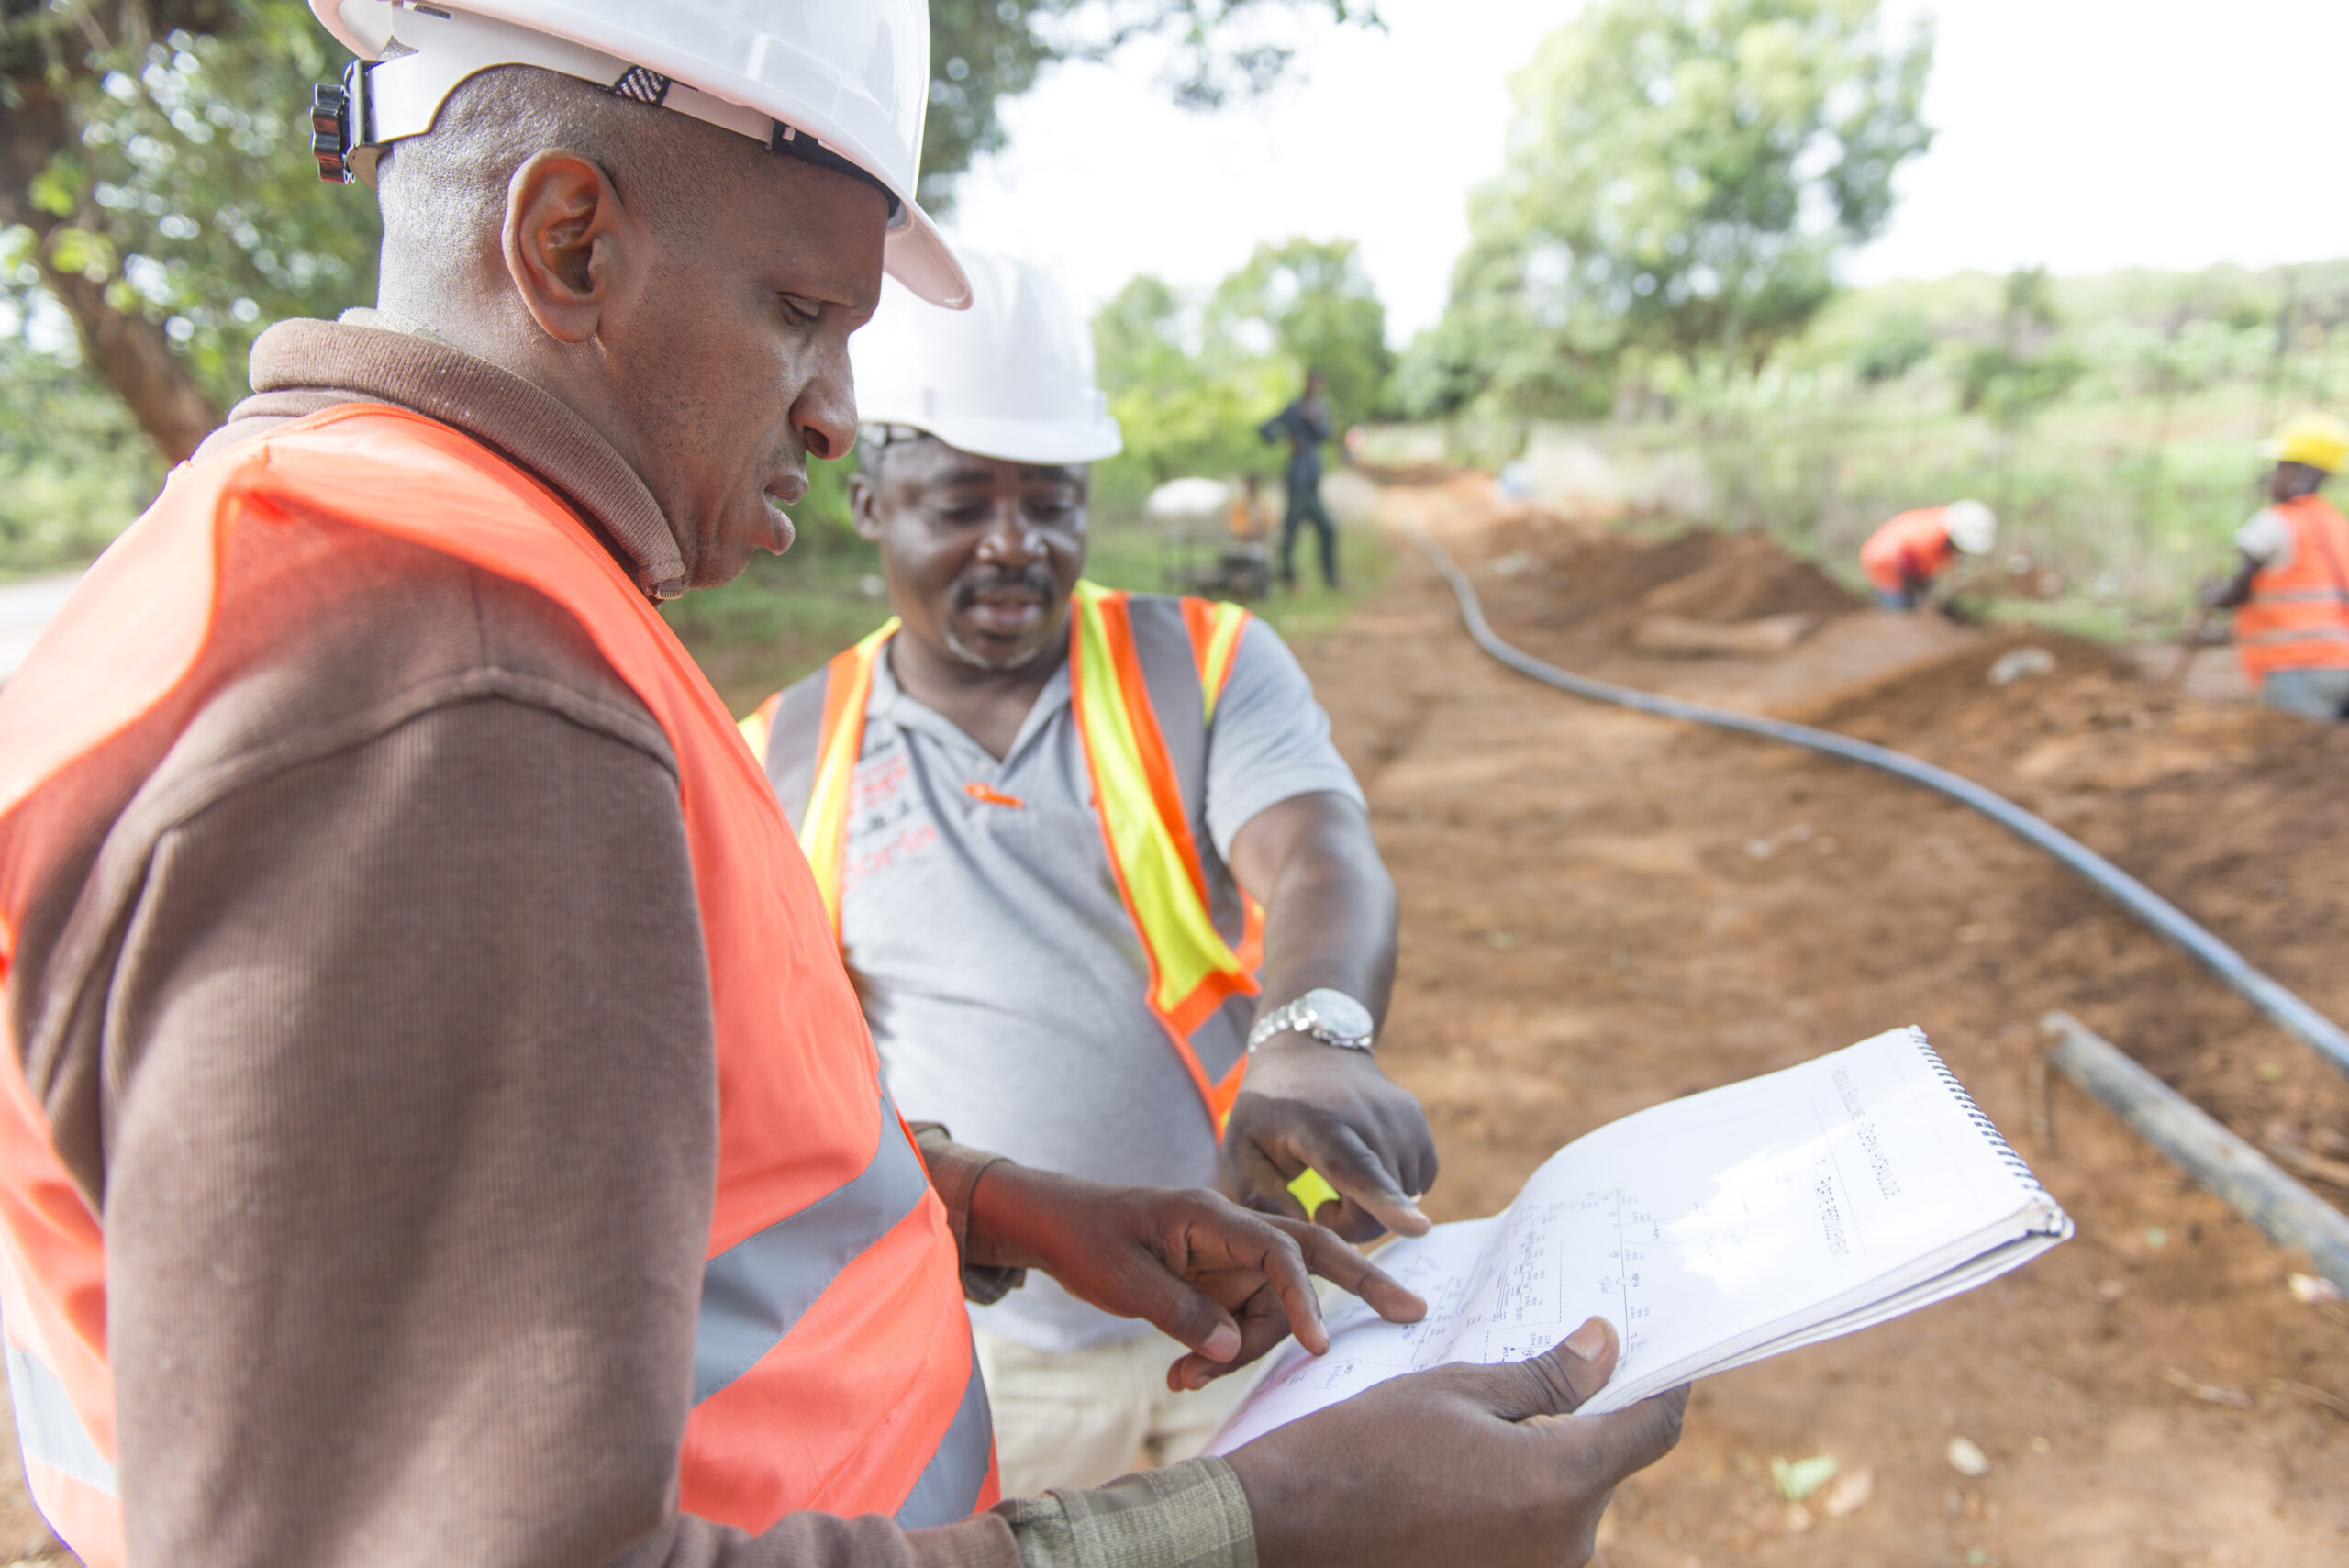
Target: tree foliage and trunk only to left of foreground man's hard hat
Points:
x,y
156,189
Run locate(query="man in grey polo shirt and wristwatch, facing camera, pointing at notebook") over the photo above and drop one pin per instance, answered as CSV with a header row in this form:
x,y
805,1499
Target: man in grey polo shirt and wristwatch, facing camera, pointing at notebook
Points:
x,y
1098,872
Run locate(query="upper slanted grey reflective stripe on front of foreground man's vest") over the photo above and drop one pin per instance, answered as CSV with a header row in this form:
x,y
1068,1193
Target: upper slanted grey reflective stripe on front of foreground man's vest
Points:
x,y
762,1285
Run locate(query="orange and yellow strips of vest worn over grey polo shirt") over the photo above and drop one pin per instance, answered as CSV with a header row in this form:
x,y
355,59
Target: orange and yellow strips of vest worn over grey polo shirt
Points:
x,y
1136,795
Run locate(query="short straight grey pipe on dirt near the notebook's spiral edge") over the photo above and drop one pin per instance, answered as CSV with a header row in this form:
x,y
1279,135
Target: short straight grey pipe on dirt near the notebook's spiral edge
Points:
x,y
2252,1184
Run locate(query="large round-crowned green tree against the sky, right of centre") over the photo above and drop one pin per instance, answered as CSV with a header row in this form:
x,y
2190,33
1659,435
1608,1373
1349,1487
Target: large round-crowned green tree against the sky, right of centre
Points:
x,y
1681,180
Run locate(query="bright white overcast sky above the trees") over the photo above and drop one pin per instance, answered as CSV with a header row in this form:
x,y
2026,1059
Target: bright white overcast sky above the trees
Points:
x,y
2078,135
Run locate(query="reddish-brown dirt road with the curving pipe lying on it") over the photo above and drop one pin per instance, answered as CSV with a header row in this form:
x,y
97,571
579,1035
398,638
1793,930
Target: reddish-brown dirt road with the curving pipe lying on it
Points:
x,y
1603,912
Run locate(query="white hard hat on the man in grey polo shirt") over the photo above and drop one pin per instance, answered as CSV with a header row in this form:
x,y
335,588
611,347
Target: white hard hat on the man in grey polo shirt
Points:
x,y
1007,379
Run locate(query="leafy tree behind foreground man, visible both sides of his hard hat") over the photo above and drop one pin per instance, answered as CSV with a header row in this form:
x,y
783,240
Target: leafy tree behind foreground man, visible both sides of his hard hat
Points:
x,y
156,182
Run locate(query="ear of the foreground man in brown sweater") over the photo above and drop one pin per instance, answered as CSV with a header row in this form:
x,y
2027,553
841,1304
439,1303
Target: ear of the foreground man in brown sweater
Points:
x,y
572,248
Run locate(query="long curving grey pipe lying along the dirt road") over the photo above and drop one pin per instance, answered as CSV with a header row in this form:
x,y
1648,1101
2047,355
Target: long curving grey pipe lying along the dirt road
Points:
x,y
2129,893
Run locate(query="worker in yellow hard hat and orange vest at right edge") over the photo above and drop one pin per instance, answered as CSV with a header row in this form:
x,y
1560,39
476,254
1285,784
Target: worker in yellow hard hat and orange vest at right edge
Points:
x,y
2291,590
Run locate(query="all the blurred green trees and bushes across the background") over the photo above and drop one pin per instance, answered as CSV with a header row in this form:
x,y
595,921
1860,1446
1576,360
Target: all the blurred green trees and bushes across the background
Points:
x,y
1650,290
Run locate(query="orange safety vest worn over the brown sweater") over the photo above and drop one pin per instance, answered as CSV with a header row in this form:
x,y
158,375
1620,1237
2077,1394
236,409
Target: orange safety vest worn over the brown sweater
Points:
x,y
833,1363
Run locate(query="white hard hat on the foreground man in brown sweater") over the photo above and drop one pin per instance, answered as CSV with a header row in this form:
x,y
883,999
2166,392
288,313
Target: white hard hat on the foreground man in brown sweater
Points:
x,y
844,83
